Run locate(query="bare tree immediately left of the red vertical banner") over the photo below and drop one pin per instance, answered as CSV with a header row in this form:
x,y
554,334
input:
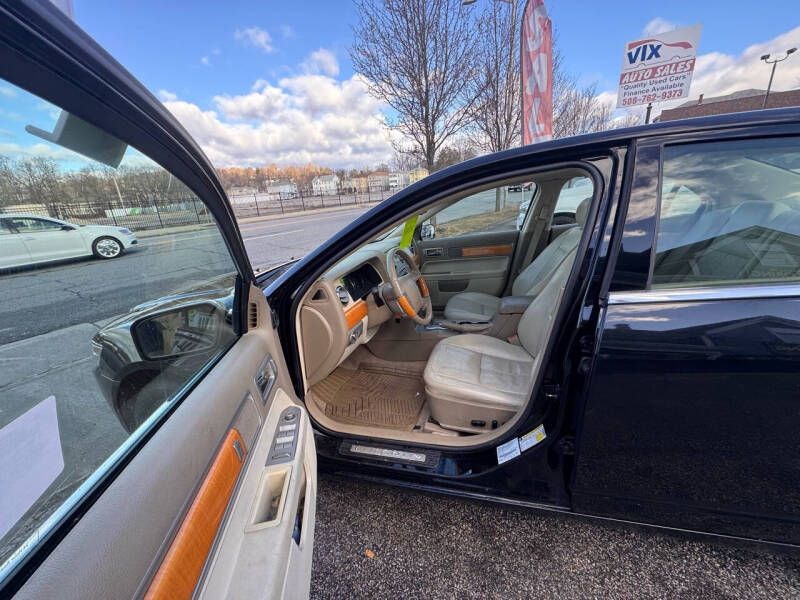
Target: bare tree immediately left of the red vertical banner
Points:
x,y
498,110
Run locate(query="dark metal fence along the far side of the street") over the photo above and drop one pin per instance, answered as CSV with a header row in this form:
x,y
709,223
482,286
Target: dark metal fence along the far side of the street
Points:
x,y
142,214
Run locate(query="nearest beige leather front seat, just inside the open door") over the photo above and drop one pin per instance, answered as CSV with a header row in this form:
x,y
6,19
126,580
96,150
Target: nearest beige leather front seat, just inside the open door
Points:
x,y
473,380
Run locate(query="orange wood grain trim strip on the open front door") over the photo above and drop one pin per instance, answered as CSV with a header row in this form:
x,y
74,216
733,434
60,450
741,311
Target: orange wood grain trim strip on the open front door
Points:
x,y
180,570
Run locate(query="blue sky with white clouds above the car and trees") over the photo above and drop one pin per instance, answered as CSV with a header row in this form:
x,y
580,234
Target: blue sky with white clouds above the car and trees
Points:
x,y
262,82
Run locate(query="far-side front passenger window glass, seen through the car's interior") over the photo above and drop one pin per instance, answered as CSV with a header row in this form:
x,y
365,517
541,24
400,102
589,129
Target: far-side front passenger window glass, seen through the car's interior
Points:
x,y
496,209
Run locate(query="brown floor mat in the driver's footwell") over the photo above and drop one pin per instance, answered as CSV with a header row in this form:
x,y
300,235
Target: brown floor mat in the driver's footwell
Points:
x,y
371,397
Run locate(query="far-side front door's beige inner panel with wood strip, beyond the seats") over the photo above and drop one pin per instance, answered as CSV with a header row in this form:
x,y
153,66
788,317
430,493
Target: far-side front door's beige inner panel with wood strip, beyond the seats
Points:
x,y
475,262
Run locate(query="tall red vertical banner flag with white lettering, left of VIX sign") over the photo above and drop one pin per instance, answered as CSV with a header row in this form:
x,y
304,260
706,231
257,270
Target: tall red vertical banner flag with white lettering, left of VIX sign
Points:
x,y
537,71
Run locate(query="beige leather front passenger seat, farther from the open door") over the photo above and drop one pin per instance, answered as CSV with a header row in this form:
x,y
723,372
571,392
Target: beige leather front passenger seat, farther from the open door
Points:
x,y
476,306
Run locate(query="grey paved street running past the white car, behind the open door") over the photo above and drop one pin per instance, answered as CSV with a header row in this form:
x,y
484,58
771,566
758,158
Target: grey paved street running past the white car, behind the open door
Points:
x,y
39,300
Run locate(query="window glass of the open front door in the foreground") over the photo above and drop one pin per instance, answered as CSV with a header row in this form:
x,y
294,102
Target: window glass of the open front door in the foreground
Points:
x,y
101,327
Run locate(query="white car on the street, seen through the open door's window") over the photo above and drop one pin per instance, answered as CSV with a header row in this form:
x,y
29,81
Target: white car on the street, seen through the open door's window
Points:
x,y
31,239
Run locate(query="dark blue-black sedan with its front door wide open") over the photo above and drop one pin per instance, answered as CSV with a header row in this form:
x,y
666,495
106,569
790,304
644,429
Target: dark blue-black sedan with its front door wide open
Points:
x,y
641,364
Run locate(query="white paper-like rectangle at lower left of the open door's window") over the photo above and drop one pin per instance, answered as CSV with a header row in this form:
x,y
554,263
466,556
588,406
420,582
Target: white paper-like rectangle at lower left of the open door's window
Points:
x,y
30,460
